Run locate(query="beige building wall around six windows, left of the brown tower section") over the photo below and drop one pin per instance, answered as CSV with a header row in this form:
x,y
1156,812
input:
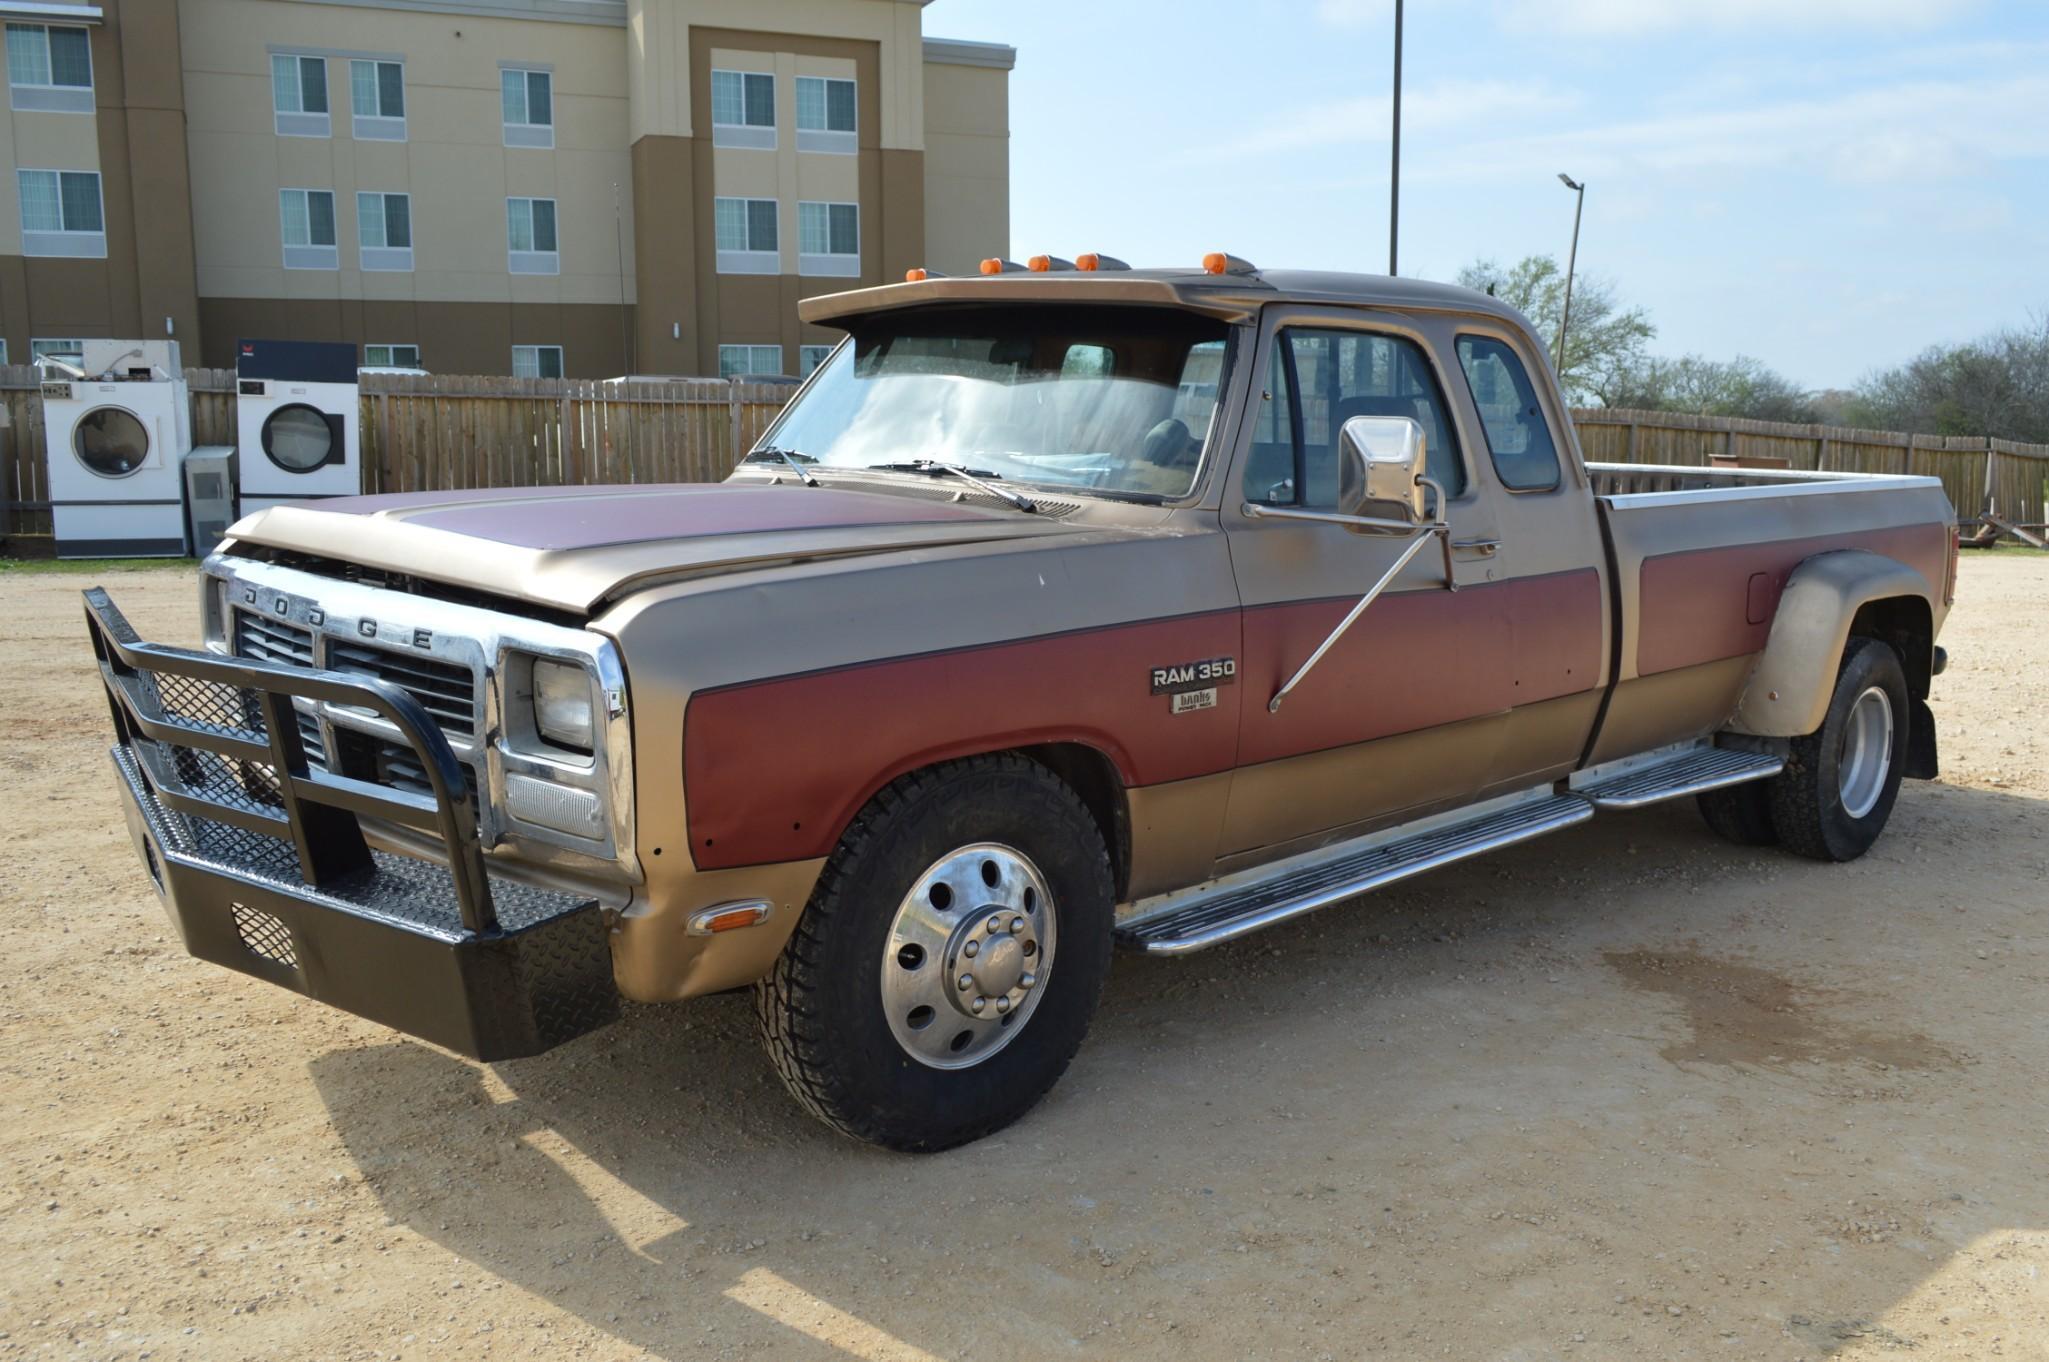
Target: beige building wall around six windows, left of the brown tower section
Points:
x,y
454,161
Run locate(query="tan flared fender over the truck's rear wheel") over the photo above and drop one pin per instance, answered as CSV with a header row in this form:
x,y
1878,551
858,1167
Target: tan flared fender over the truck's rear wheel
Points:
x,y
1829,599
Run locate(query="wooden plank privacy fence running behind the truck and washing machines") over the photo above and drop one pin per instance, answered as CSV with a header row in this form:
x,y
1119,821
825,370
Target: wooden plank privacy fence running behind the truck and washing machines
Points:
x,y
429,433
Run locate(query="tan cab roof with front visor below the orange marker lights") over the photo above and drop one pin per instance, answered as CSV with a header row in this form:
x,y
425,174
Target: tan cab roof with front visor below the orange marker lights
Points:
x,y
1232,298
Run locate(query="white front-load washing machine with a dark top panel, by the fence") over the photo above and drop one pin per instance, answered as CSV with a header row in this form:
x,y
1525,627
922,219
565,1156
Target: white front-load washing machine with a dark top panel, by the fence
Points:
x,y
296,421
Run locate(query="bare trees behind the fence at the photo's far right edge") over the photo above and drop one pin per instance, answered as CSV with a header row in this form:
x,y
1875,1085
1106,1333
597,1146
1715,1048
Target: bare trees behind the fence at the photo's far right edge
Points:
x,y
1995,386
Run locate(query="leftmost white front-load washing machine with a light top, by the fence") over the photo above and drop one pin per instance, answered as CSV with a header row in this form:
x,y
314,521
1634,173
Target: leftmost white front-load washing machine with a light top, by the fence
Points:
x,y
118,429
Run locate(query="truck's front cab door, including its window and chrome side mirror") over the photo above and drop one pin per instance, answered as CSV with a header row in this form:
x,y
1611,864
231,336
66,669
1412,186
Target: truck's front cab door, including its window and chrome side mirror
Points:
x,y
1409,708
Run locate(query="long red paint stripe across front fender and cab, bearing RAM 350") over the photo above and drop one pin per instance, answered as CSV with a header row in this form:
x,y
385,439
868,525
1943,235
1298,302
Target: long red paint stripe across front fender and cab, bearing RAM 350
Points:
x,y
778,769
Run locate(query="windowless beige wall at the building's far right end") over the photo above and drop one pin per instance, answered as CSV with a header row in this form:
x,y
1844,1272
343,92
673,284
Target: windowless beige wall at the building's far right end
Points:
x,y
966,167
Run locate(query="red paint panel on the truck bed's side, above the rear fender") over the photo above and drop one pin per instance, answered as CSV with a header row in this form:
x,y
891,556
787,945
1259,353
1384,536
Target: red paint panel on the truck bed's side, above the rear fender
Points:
x,y
1706,605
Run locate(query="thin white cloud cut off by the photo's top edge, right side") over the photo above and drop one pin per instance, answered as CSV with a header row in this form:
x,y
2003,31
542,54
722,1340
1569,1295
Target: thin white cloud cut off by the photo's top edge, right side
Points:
x,y
1636,17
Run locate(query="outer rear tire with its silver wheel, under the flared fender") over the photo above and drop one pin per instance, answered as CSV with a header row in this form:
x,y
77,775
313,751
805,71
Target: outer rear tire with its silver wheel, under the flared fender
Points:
x,y
1839,788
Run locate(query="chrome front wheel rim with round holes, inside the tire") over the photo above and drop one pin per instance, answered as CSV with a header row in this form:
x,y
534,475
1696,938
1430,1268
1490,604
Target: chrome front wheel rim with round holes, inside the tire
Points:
x,y
968,955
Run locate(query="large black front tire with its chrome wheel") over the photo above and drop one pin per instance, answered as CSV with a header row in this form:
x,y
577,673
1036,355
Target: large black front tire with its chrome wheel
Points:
x,y
950,960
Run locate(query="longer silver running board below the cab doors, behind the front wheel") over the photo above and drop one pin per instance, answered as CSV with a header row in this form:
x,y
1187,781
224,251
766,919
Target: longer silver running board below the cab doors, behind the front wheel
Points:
x,y
1224,912
